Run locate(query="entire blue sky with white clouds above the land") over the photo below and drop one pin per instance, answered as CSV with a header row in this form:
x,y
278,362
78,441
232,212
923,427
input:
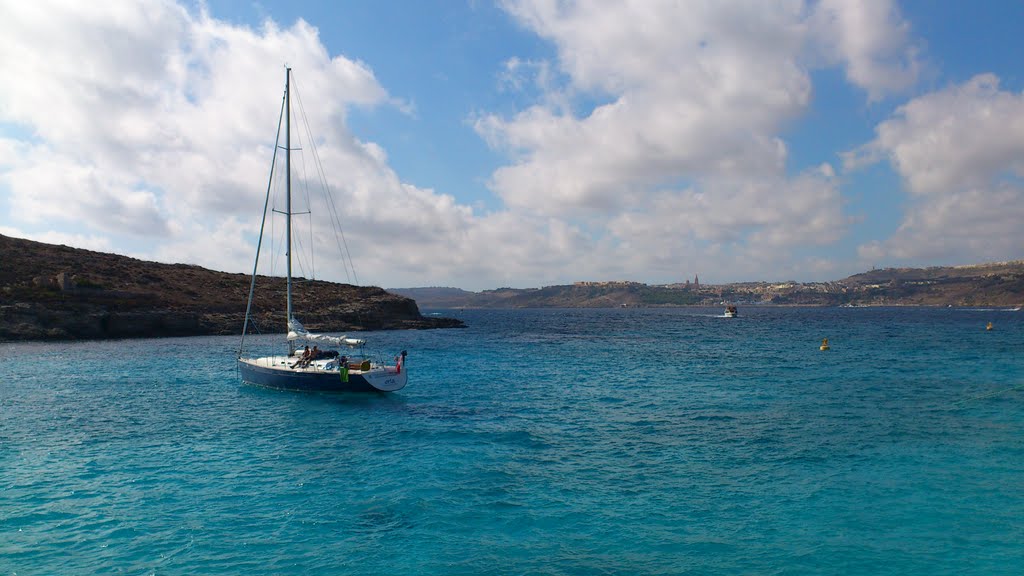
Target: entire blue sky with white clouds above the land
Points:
x,y
522,144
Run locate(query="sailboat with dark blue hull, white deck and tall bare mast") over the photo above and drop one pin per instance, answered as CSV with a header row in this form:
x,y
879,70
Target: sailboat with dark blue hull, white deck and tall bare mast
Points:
x,y
331,371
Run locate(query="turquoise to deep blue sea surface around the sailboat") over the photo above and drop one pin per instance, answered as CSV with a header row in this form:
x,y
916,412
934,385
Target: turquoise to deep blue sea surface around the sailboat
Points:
x,y
570,442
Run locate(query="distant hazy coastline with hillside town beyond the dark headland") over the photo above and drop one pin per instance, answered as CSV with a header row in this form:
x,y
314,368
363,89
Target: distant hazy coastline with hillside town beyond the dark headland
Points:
x,y
999,284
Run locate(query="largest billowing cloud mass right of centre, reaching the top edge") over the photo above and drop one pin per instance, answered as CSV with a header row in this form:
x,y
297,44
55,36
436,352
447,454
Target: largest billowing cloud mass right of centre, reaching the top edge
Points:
x,y
694,94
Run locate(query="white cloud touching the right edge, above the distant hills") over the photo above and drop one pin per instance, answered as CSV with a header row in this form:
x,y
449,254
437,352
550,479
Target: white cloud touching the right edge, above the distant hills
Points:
x,y
961,152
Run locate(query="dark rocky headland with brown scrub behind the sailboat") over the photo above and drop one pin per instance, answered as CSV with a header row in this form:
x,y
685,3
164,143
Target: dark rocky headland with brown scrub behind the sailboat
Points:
x,y
58,293
